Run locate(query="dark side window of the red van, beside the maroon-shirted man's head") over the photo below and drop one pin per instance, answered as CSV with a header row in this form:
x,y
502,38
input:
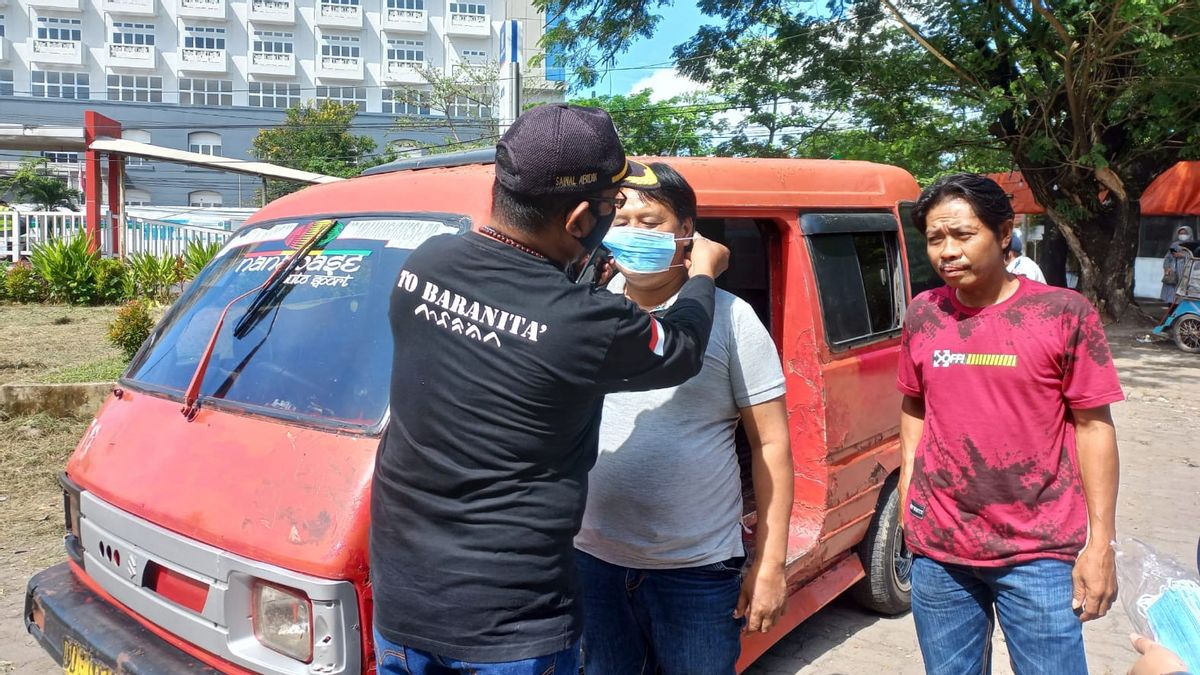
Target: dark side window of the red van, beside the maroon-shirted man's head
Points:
x,y
860,278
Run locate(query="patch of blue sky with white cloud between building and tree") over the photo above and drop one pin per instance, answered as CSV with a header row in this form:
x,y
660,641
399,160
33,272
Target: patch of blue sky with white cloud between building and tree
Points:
x,y
680,23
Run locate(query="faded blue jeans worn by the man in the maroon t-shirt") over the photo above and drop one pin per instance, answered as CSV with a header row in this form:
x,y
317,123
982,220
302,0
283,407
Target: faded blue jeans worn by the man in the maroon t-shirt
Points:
x,y
956,610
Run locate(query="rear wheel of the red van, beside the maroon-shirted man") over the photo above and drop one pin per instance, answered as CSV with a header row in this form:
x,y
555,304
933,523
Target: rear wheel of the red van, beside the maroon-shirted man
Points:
x,y
887,560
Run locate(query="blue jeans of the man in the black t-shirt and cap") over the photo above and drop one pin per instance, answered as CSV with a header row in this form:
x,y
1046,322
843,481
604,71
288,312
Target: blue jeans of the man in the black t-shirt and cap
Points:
x,y
399,660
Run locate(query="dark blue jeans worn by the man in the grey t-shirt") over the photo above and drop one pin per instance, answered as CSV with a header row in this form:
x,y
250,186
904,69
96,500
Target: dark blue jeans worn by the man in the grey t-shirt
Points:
x,y
669,622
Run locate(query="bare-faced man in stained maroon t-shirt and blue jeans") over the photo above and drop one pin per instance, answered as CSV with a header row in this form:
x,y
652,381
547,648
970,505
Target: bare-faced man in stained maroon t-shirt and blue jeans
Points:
x,y
1010,473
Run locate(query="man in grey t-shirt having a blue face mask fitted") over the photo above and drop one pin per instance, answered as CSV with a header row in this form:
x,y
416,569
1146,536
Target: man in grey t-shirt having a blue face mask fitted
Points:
x,y
661,554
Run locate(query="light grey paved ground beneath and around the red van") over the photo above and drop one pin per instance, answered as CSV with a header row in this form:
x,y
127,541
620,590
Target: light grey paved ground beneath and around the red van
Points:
x,y
1160,504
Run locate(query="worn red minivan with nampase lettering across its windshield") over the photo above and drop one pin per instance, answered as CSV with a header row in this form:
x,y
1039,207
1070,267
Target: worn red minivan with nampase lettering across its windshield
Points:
x,y
218,506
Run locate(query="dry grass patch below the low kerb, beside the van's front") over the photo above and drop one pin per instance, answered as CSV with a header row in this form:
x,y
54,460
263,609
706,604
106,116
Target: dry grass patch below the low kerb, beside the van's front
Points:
x,y
33,451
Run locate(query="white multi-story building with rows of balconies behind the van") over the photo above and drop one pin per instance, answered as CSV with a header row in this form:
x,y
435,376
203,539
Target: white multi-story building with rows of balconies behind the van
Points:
x,y
207,75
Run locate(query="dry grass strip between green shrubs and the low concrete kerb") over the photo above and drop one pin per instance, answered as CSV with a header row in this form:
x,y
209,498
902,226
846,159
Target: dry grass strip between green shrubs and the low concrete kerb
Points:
x,y
41,341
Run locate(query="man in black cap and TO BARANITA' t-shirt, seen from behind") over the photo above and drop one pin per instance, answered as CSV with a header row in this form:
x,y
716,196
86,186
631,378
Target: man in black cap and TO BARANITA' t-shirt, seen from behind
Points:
x,y
501,369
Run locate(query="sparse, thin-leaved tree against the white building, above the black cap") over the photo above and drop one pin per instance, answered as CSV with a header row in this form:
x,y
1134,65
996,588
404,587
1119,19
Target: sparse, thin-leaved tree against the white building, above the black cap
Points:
x,y
463,103
